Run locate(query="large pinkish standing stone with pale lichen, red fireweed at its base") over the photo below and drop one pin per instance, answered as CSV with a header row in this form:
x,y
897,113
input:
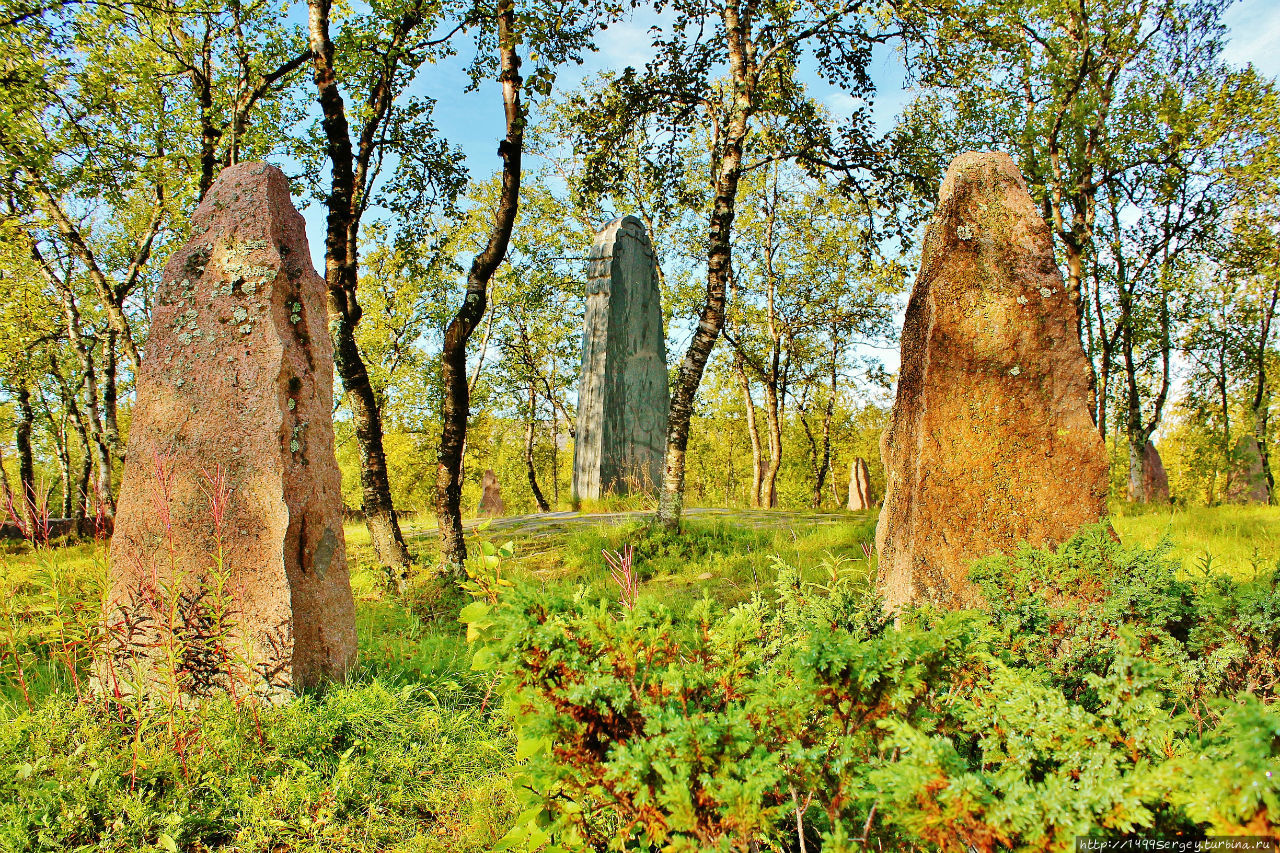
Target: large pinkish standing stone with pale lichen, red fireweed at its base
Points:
x,y
231,454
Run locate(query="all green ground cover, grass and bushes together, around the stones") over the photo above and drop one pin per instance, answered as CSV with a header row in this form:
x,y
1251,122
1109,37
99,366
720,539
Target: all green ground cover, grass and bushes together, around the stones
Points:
x,y
947,732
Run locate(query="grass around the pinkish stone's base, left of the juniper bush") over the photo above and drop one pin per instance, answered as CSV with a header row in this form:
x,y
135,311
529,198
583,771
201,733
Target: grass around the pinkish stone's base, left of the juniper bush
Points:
x,y
405,756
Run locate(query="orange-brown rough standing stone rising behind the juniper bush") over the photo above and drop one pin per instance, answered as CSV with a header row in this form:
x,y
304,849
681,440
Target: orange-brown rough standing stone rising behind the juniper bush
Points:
x,y
990,443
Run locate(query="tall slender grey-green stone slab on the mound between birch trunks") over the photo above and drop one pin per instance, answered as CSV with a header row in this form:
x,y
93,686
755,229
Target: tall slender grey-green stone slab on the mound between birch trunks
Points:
x,y
623,396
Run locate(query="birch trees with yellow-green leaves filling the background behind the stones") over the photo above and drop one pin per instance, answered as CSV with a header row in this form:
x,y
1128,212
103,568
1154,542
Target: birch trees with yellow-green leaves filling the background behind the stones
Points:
x,y
785,232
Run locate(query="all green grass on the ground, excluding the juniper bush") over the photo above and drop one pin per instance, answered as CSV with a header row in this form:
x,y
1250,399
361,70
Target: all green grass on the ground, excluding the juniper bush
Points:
x,y
409,755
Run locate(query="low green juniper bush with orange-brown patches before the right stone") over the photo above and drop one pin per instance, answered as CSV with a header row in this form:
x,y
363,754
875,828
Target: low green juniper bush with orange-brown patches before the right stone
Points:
x,y
1099,694
